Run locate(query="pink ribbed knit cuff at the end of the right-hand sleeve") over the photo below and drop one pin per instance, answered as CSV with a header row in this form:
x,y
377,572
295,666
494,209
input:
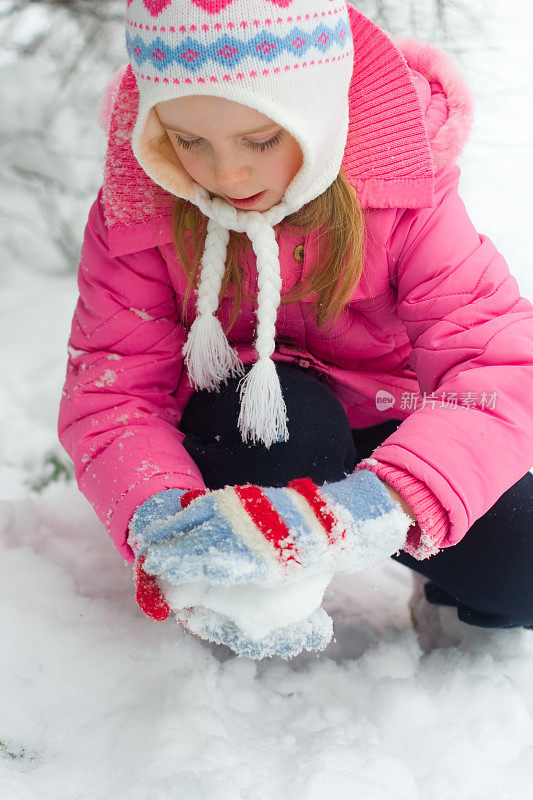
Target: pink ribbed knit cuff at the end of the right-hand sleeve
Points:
x,y
424,538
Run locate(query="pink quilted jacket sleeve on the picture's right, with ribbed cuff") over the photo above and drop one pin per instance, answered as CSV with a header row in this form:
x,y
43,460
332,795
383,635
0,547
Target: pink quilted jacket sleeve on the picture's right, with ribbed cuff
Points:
x,y
471,437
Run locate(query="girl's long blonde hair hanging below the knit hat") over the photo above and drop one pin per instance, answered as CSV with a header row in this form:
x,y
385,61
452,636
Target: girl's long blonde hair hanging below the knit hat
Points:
x,y
336,213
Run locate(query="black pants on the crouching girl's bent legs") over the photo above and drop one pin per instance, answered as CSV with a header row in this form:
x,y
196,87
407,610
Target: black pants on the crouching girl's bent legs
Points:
x,y
488,575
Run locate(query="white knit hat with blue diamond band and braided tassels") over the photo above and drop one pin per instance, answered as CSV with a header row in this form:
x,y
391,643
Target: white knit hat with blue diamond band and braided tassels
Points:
x,y
291,60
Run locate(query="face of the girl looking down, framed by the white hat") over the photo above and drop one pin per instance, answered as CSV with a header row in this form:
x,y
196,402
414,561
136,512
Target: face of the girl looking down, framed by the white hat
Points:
x,y
232,150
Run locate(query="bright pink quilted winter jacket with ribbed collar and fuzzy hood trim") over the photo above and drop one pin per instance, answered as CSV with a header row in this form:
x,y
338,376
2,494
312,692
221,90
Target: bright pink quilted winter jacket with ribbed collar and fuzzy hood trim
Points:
x,y
436,334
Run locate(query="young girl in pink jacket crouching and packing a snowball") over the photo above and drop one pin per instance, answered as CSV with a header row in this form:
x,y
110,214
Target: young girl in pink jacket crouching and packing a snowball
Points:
x,y
292,353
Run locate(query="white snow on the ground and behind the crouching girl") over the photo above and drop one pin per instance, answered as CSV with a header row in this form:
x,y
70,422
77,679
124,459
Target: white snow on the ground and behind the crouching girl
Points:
x,y
99,702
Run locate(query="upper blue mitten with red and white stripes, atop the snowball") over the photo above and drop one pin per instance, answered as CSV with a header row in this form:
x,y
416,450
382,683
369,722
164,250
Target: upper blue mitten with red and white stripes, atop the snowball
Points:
x,y
249,534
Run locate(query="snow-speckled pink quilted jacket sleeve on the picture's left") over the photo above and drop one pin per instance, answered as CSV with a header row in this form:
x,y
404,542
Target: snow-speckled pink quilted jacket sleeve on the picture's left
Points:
x,y
118,414
